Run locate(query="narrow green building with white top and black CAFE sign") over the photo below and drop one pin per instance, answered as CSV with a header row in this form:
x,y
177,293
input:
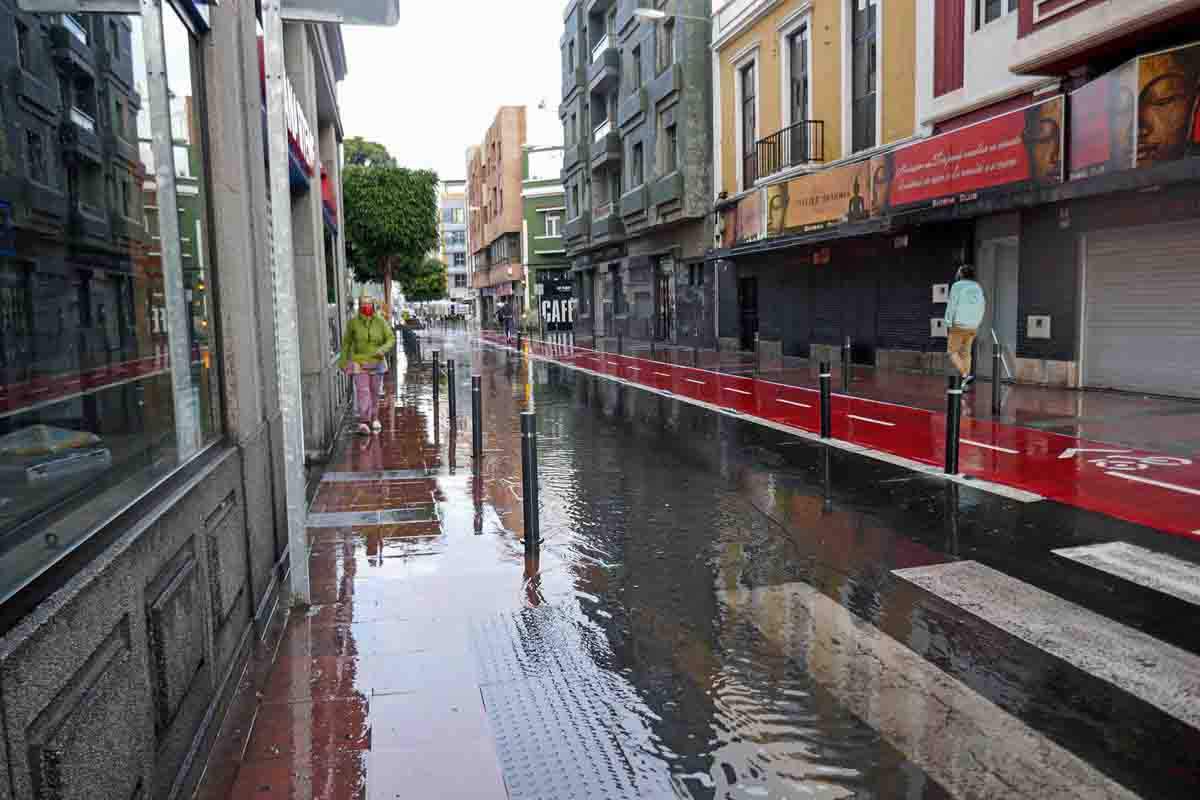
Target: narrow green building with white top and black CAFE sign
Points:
x,y
550,290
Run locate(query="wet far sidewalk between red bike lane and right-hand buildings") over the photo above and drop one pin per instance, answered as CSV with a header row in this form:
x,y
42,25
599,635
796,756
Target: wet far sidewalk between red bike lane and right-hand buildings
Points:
x,y
1160,424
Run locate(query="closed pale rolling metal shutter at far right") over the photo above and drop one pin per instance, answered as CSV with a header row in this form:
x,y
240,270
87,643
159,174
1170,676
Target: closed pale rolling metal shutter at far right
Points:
x,y
1142,316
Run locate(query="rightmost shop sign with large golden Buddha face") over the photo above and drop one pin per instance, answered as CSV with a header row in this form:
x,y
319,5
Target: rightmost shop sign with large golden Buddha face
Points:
x,y
1145,112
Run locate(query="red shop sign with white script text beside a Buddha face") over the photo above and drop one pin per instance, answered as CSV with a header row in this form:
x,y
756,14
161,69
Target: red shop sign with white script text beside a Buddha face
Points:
x,y
1019,148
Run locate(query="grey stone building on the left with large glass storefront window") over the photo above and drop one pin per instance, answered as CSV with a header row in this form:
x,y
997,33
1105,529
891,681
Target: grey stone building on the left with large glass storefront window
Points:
x,y
145,524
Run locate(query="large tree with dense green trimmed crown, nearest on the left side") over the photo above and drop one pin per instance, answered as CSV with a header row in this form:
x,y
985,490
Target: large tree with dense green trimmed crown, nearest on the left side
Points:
x,y
392,222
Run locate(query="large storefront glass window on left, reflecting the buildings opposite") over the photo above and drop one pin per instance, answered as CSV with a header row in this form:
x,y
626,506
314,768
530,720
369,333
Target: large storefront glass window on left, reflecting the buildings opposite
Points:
x,y
87,404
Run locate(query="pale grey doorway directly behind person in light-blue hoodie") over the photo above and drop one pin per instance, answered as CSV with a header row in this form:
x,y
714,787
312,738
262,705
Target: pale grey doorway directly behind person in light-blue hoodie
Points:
x,y
999,266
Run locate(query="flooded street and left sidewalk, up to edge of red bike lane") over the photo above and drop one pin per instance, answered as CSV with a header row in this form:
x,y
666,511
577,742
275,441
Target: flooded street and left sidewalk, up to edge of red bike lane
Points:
x,y
721,610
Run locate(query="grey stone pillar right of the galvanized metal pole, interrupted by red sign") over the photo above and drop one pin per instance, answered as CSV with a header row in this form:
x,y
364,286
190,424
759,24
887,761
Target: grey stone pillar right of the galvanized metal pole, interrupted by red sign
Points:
x,y
309,257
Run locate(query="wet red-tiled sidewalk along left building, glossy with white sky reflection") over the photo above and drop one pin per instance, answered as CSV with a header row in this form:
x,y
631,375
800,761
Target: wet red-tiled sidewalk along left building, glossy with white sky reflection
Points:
x,y
373,693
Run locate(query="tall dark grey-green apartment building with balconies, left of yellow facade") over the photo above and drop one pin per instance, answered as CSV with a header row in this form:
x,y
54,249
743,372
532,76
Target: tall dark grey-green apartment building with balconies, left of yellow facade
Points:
x,y
637,116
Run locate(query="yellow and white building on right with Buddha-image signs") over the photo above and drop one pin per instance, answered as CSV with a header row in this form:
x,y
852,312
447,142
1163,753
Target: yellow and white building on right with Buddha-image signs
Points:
x,y
1040,158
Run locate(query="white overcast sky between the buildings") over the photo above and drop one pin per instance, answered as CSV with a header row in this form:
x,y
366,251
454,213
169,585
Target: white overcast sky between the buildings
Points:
x,y
430,87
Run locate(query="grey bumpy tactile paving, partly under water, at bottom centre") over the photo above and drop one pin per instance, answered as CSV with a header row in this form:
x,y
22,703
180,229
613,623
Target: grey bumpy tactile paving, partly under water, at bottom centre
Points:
x,y
566,730
